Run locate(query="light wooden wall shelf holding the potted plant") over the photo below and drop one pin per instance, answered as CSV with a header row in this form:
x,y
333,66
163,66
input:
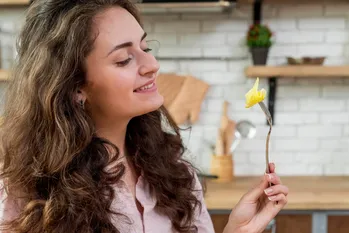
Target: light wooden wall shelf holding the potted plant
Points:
x,y
297,71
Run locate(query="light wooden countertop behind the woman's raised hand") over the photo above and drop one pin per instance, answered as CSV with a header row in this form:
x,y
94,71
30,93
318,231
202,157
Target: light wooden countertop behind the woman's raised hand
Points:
x,y
306,193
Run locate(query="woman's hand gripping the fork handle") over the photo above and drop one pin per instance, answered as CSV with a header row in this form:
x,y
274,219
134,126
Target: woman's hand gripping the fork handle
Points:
x,y
259,206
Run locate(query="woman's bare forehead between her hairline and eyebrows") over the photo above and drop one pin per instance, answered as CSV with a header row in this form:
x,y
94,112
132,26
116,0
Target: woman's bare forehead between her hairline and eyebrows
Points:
x,y
116,25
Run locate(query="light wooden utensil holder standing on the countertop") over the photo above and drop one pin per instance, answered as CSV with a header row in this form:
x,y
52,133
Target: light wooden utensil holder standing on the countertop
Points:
x,y
222,166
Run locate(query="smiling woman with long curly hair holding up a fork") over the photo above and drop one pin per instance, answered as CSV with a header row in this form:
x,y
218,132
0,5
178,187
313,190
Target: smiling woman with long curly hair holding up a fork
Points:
x,y
83,142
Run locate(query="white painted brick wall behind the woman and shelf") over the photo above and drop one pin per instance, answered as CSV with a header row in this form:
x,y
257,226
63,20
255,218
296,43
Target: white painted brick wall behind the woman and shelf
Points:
x,y
311,133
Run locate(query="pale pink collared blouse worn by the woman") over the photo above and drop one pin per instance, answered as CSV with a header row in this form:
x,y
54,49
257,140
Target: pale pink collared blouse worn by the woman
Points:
x,y
150,222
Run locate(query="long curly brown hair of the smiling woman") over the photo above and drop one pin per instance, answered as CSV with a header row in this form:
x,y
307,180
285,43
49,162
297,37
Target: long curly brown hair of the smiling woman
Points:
x,y
52,160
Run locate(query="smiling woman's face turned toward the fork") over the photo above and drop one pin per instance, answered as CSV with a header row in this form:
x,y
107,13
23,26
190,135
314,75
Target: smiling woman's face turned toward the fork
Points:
x,y
120,70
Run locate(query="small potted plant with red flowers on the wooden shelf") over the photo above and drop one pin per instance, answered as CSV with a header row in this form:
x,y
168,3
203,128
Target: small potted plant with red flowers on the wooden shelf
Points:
x,y
259,41
